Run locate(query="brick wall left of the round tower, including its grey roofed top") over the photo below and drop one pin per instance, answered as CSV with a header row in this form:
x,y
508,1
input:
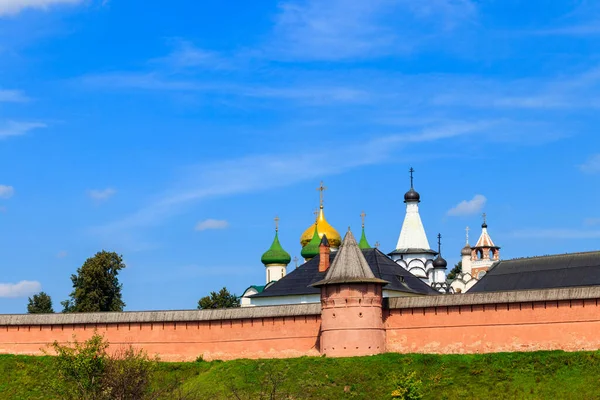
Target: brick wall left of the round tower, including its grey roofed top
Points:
x,y
253,332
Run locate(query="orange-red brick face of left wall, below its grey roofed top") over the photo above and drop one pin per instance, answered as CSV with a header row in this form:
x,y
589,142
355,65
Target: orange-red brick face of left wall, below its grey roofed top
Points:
x,y
273,337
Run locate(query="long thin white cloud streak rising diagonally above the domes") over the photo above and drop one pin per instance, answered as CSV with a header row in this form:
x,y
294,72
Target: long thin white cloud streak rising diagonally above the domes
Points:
x,y
259,172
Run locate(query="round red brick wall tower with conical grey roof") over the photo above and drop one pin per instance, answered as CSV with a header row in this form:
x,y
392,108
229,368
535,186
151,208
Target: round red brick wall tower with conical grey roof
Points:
x,y
351,305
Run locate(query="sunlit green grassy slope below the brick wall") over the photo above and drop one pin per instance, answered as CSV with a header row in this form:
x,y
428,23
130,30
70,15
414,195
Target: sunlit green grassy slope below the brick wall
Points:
x,y
506,375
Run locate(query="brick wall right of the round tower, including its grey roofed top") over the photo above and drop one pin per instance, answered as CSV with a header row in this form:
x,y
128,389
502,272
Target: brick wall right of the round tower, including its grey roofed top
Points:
x,y
552,319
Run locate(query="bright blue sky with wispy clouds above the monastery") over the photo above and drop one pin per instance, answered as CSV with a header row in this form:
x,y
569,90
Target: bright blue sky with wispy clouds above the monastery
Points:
x,y
174,133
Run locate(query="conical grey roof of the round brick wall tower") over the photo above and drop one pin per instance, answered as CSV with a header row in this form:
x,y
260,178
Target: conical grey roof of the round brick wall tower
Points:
x,y
349,266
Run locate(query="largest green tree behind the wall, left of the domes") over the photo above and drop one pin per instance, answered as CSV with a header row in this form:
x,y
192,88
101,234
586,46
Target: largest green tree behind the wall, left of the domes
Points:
x,y
96,286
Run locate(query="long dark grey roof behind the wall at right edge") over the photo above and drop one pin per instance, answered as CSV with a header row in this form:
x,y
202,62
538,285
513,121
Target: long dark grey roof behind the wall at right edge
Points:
x,y
556,271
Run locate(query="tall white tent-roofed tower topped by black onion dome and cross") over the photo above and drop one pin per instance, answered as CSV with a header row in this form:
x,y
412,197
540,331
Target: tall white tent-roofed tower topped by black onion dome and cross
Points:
x,y
412,250
